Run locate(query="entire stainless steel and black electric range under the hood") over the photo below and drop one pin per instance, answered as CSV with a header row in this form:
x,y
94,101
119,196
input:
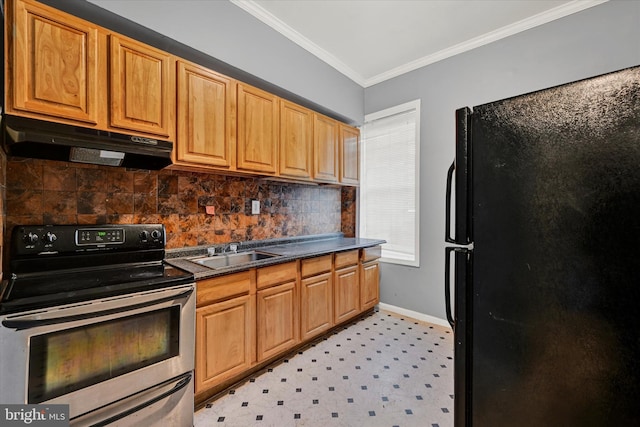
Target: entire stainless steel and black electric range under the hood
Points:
x,y
92,317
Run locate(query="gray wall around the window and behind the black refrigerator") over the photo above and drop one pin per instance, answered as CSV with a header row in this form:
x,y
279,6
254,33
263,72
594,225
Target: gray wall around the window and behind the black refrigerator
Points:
x,y
595,41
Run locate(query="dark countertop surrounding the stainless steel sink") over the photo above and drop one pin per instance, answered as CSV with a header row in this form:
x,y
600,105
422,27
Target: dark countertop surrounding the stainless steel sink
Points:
x,y
288,249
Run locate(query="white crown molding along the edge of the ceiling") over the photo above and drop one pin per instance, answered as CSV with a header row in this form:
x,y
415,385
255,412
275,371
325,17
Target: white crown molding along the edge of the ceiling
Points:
x,y
542,18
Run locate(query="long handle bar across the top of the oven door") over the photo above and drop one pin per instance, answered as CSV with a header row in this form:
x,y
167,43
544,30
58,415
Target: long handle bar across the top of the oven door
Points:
x,y
45,318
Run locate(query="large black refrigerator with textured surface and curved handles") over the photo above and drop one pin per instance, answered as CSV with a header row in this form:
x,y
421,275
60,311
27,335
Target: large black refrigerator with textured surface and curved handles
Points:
x,y
542,281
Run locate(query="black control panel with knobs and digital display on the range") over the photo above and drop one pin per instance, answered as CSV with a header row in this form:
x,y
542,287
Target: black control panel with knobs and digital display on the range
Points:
x,y
51,239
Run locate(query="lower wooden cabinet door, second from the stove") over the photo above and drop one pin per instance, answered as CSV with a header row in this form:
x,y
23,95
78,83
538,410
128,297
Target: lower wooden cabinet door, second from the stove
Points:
x,y
277,326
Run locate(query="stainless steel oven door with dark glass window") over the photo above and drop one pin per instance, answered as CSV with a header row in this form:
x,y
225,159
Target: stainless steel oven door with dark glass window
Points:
x,y
128,349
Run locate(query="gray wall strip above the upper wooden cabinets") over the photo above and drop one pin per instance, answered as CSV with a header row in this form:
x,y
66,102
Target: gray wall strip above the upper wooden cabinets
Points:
x,y
228,33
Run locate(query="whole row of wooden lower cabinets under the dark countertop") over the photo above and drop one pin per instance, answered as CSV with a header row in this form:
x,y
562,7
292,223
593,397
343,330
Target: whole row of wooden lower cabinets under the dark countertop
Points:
x,y
245,320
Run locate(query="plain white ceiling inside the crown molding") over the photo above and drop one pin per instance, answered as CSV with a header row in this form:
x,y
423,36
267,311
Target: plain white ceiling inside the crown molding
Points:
x,y
373,40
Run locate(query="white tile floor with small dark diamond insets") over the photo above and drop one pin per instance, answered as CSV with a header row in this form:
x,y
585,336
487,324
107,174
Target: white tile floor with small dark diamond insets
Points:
x,y
382,370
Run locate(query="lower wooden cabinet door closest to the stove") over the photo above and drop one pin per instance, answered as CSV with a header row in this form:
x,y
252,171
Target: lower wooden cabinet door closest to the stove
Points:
x,y
224,341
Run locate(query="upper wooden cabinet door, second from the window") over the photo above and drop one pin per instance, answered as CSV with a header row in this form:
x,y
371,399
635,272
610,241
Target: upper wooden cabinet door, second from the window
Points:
x,y
325,149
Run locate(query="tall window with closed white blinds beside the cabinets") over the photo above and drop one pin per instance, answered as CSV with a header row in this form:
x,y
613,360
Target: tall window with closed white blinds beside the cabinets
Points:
x,y
389,182
